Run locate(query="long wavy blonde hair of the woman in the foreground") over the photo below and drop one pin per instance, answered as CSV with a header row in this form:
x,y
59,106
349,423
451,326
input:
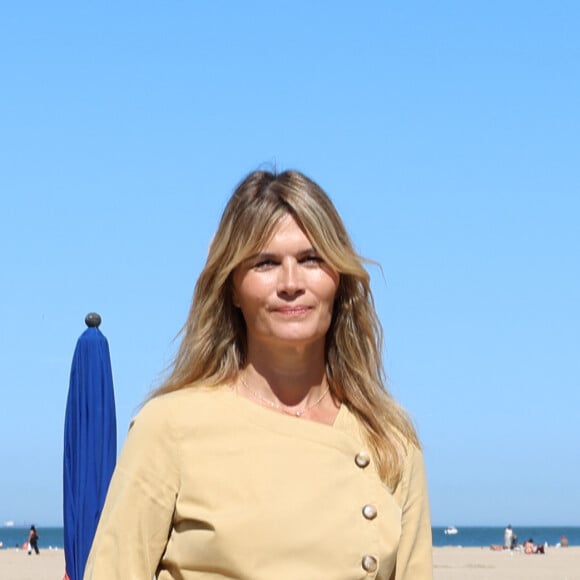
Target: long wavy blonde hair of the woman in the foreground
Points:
x,y
213,340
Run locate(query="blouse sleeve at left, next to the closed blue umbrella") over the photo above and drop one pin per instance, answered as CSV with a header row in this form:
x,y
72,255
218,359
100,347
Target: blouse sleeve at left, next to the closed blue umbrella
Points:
x,y
136,520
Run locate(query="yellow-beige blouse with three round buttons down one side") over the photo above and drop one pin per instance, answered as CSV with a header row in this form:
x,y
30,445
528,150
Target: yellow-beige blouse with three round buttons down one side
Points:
x,y
212,486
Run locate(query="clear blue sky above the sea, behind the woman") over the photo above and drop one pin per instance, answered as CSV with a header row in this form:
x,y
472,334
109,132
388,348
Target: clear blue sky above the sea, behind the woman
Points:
x,y
447,134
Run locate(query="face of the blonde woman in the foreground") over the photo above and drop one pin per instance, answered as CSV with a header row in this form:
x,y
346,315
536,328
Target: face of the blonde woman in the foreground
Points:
x,y
285,292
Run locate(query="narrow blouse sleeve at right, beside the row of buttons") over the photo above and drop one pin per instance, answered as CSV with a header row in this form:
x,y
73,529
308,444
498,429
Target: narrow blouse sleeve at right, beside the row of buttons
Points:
x,y
415,553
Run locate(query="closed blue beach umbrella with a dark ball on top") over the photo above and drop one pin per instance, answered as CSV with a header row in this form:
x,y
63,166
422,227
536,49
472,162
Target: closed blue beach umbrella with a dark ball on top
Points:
x,y
90,444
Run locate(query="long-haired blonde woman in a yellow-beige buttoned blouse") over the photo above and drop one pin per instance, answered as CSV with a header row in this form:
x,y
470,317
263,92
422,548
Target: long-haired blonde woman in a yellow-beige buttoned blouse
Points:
x,y
272,450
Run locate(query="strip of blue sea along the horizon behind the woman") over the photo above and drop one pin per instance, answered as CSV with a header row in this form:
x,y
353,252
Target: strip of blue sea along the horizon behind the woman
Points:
x,y
467,536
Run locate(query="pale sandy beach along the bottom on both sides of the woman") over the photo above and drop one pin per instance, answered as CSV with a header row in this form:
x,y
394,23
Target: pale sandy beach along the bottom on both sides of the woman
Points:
x,y
449,564
